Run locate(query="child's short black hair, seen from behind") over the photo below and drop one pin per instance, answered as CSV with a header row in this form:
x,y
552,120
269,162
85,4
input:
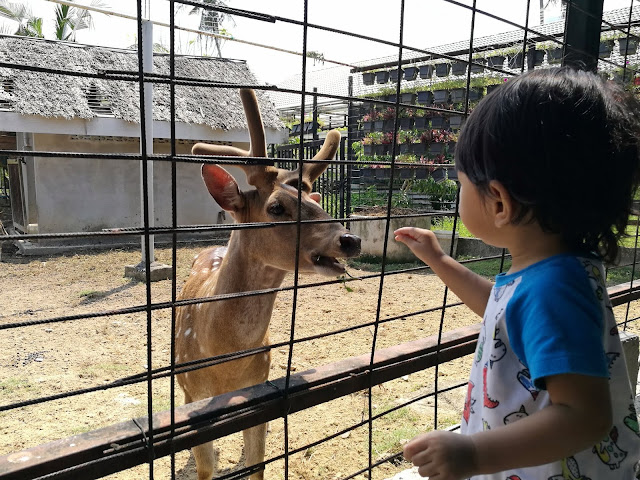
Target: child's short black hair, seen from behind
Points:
x,y
565,144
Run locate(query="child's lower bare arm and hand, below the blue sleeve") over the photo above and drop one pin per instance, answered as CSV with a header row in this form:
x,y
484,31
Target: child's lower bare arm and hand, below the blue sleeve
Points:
x,y
579,416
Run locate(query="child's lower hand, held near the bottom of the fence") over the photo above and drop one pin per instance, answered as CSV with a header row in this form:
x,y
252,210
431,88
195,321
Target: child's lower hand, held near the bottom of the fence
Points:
x,y
442,455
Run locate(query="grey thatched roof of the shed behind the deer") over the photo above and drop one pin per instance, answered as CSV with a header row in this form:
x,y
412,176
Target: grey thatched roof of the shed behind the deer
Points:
x,y
68,97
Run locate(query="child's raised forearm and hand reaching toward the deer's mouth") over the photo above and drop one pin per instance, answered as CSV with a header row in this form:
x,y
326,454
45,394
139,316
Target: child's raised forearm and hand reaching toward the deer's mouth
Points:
x,y
471,288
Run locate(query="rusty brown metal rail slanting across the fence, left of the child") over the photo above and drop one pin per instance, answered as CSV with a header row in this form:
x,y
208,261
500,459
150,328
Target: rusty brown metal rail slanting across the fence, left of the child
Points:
x,y
113,448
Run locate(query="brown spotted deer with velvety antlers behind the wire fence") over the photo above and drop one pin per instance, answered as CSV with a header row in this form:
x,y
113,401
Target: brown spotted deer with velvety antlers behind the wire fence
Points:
x,y
254,259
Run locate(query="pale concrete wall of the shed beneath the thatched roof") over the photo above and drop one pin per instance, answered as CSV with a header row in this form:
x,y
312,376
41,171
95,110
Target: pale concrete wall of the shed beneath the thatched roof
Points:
x,y
82,195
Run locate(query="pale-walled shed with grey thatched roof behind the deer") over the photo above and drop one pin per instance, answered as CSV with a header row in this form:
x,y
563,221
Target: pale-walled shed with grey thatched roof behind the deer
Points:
x,y
51,111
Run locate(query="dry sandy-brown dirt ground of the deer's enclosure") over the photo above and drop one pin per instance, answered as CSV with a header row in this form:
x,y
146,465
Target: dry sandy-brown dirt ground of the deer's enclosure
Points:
x,y
40,360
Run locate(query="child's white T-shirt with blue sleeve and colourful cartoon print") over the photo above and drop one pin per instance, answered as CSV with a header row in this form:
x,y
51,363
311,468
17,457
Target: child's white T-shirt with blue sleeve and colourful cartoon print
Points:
x,y
554,317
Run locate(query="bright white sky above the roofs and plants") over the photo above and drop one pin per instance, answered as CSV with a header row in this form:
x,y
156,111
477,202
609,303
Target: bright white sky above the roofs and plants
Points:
x,y
426,23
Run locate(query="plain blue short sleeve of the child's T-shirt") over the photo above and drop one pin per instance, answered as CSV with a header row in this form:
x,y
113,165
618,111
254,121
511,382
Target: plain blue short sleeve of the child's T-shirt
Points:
x,y
555,325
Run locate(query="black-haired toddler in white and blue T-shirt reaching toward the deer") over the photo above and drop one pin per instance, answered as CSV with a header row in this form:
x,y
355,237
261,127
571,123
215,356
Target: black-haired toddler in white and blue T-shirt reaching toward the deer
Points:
x,y
548,164
